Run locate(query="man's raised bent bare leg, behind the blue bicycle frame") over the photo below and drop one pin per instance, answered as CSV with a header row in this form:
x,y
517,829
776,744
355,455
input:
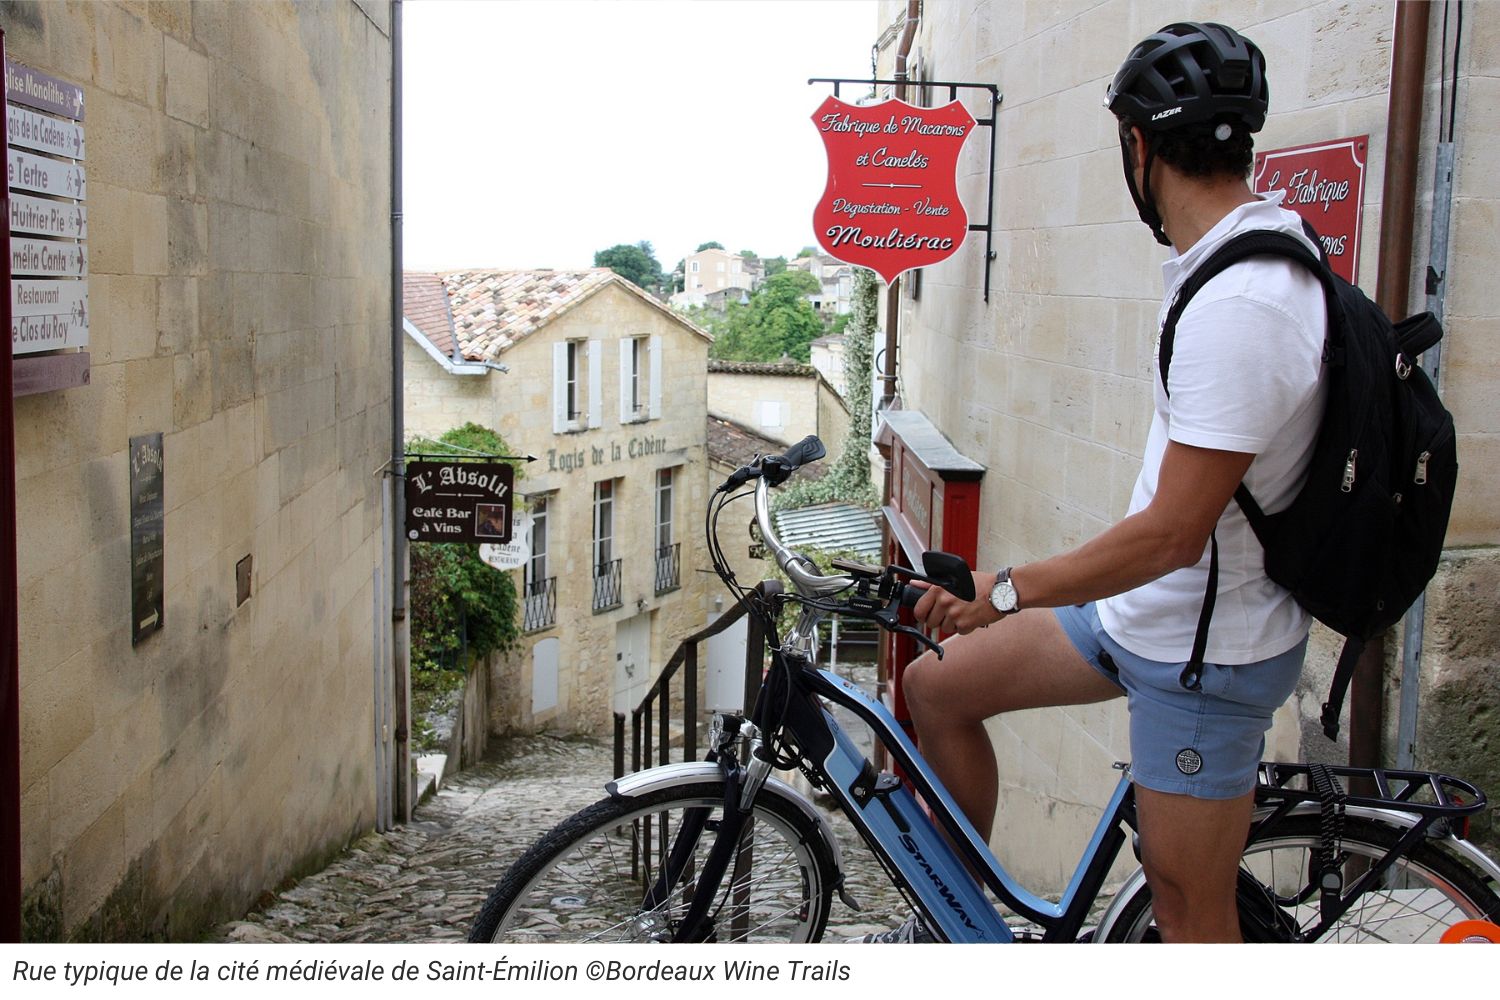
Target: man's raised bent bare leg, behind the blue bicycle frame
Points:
x,y
1021,662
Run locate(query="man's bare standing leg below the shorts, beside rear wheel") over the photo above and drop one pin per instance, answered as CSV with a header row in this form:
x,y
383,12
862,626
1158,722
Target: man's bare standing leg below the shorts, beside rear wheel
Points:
x,y
1190,851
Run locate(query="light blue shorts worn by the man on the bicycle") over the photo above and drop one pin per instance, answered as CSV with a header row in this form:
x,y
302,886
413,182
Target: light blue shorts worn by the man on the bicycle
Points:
x,y
1205,743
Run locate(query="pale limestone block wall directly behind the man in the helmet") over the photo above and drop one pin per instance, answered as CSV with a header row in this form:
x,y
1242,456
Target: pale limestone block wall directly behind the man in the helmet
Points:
x,y
1049,383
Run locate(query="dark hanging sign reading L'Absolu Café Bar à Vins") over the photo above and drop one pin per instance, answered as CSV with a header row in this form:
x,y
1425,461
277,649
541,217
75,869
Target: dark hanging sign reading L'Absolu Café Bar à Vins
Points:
x,y
460,501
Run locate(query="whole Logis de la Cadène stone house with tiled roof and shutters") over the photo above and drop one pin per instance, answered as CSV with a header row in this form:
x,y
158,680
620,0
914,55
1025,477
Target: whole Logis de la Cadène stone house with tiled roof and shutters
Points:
x,y
607,388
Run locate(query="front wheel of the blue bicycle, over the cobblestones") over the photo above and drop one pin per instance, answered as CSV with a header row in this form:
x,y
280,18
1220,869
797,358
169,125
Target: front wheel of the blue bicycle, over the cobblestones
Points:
x,y
575,884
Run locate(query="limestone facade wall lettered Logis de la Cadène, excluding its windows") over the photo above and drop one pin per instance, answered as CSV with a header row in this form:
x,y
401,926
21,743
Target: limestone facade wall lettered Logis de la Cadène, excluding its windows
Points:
x,y
568,469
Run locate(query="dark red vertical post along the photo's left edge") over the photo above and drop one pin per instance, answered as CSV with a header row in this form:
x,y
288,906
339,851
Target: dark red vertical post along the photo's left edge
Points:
x,y
10,635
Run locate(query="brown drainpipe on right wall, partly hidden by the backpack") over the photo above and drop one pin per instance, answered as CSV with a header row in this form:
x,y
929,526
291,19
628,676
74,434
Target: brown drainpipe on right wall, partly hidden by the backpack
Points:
x,y
1393,292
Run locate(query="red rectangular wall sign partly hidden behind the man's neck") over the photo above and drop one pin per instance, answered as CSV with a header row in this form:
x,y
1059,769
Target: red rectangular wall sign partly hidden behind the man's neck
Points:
x,y
1325,184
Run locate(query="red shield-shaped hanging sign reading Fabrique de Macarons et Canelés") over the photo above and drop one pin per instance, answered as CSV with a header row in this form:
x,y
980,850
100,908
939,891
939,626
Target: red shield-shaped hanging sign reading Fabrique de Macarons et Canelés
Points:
x,y
892,200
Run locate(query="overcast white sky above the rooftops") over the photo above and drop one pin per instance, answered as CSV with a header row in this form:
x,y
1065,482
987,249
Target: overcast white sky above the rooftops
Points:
x,y
542,131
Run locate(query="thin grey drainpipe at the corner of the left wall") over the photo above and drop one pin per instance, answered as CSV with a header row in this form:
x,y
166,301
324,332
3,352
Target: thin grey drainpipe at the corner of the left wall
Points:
x,y
401,660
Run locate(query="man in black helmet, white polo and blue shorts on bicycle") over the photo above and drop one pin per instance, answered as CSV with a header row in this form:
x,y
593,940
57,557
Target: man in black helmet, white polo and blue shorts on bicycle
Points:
x,y
1118,615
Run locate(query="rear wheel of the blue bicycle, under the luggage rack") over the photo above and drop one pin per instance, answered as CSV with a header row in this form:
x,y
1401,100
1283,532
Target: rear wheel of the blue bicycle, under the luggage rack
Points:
x,y
1426,893
